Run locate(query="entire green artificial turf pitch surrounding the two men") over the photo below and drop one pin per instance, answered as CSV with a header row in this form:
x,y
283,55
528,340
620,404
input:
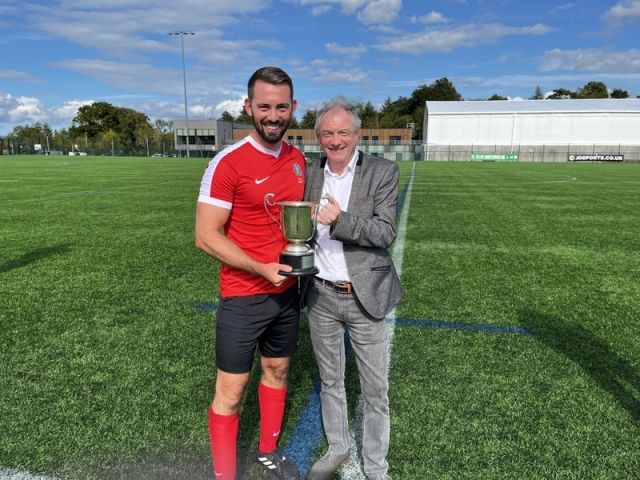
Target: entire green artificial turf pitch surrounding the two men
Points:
x,y
516,352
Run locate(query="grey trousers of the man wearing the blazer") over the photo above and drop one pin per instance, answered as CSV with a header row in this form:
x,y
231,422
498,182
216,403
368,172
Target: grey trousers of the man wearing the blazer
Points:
x,y
330,313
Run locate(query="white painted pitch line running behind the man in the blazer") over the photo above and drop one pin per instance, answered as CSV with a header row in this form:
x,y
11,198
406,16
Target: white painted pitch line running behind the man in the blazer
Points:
x,y
353,469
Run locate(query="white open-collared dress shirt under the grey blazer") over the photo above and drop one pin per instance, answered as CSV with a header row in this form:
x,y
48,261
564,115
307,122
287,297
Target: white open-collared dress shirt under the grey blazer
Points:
x,y
329,253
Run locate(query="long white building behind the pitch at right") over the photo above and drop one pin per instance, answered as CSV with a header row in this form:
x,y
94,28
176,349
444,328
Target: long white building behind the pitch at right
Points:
x,y
538,127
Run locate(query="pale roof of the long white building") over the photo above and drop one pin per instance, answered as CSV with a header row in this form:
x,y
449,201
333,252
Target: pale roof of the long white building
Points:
x,y
601,105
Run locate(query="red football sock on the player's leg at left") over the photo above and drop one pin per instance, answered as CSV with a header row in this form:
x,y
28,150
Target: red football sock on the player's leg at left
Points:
x,y
223,432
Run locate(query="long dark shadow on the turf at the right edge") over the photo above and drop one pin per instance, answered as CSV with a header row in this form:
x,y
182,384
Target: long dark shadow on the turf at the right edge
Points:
x,y
612,373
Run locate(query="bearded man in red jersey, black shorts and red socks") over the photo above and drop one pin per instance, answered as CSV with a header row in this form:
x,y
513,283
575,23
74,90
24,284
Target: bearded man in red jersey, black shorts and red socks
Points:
x,y
258,308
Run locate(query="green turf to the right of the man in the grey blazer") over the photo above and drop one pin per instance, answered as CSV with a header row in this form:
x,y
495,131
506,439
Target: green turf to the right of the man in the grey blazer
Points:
x,y
554,248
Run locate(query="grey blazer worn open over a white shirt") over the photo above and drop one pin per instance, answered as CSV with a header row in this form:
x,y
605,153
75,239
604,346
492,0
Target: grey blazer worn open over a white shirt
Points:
x,y
367,227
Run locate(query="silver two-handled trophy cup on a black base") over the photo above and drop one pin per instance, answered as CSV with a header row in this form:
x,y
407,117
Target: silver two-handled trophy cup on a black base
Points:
x,y
298,222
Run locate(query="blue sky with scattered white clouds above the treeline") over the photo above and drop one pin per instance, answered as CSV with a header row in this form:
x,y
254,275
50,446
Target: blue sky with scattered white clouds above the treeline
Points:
x,y
58,55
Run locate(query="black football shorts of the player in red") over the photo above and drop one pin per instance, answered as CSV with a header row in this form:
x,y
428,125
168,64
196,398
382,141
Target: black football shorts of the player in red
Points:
x,y
267,321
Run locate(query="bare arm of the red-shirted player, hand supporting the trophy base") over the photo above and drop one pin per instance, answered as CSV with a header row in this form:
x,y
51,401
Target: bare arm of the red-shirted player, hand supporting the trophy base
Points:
x,y
210,239
